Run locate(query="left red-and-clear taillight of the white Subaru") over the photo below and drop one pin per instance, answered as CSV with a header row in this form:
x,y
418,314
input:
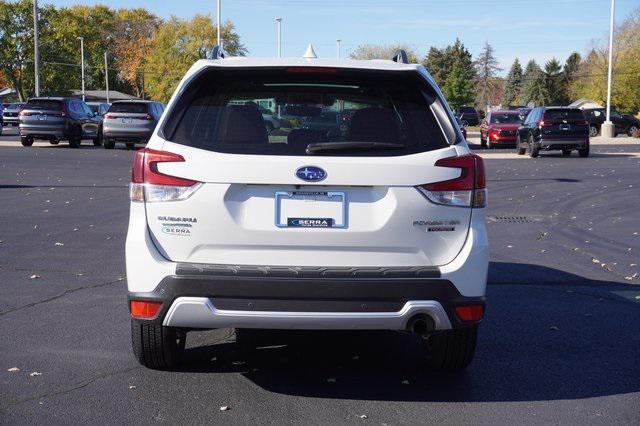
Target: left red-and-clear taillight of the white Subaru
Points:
x,y
148,184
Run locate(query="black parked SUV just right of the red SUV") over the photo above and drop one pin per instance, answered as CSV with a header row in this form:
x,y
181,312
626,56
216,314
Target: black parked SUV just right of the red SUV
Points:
x,y
554,128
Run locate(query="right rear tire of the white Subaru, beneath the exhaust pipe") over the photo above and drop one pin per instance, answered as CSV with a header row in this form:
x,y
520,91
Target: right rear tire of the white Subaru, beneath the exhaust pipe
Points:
x,y
452,350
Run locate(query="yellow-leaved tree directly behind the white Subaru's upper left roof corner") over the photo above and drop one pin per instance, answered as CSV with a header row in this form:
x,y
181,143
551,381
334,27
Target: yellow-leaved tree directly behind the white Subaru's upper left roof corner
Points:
x,y
176,45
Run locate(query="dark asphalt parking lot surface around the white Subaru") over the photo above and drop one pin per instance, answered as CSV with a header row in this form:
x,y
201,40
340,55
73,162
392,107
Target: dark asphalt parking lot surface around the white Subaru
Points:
x,y
559,344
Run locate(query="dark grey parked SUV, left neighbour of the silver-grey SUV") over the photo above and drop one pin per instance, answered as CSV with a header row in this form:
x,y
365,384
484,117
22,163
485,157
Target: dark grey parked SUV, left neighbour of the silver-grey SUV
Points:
x,y
56,119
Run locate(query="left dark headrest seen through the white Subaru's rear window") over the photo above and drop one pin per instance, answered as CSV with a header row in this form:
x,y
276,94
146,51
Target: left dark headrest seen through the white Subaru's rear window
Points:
x,y
242,124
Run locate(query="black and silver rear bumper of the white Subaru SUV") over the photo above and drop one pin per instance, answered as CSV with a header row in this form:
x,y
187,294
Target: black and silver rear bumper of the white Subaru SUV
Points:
x,y
218,296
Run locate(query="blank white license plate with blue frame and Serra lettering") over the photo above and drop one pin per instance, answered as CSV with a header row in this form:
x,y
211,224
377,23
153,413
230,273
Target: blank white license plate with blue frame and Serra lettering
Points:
x,y
310,209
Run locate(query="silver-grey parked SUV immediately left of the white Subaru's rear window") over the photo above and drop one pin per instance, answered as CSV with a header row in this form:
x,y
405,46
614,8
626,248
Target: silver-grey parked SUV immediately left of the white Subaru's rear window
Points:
x,y
130,122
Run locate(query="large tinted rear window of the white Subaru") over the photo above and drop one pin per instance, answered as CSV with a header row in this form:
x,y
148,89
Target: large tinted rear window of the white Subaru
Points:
x,y
284,111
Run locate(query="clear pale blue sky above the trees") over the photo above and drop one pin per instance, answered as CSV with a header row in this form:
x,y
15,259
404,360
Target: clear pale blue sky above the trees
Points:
x,y
535,29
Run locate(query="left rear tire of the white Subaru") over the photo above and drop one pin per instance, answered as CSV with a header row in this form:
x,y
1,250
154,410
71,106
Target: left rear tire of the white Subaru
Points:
x,y
156,346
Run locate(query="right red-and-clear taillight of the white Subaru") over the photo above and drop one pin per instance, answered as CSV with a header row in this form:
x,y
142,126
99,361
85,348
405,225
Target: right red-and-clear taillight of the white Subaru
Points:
x,y
468,190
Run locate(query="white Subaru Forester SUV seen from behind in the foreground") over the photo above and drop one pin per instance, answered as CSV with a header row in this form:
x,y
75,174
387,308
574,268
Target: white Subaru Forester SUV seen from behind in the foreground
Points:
x,y
371,220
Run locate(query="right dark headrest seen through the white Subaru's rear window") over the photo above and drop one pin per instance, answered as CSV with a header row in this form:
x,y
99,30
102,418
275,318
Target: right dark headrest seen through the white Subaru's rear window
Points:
x,y
374,125
